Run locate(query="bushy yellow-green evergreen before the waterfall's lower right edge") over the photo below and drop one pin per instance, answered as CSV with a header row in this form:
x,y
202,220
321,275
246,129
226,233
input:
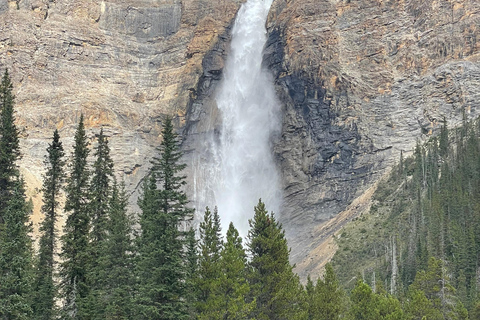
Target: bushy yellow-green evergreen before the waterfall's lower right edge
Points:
x,y
276,288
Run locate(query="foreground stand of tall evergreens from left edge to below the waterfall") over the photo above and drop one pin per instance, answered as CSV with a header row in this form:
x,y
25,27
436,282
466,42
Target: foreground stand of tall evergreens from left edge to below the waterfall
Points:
x,y
108,264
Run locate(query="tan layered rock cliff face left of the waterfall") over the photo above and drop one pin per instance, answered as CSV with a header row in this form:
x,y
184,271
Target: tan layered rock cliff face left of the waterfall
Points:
x,y
123,64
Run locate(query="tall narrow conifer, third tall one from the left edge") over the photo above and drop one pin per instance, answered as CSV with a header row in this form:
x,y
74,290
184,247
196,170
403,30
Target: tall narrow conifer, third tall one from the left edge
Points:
x,y
75,252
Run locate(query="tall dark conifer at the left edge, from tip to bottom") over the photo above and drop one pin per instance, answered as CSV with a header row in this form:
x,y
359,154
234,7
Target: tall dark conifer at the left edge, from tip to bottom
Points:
x,y
16,270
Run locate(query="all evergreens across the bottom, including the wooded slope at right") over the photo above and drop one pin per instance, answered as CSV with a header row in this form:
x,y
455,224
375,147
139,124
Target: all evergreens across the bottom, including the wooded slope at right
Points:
x,y
414,256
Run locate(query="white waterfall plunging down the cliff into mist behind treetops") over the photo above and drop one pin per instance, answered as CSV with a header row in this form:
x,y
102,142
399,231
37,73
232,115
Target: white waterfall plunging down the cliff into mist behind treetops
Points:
x,y
240,167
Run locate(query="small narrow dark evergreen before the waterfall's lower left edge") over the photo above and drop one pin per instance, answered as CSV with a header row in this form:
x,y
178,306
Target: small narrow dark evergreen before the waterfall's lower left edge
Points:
x,y
209,264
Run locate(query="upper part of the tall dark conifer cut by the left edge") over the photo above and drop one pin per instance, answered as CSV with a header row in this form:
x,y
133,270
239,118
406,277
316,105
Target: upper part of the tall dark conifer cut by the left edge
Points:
x,y
9,145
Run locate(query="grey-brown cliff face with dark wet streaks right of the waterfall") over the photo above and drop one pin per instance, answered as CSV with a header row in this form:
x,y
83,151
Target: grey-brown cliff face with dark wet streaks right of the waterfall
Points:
x,y
362,80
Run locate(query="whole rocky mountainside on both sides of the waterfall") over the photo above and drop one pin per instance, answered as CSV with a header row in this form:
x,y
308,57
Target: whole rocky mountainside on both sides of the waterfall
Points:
x,y
359,81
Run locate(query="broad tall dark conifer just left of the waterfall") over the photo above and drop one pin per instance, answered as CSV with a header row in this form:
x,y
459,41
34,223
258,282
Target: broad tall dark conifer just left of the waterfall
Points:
x,y
161,267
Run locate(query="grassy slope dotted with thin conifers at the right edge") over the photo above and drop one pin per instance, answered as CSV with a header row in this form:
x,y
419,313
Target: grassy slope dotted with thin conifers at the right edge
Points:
x,y
421,237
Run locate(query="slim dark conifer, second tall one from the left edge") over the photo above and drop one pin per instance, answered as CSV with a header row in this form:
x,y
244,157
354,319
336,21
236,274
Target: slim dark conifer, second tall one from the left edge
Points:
x,y
45,288
